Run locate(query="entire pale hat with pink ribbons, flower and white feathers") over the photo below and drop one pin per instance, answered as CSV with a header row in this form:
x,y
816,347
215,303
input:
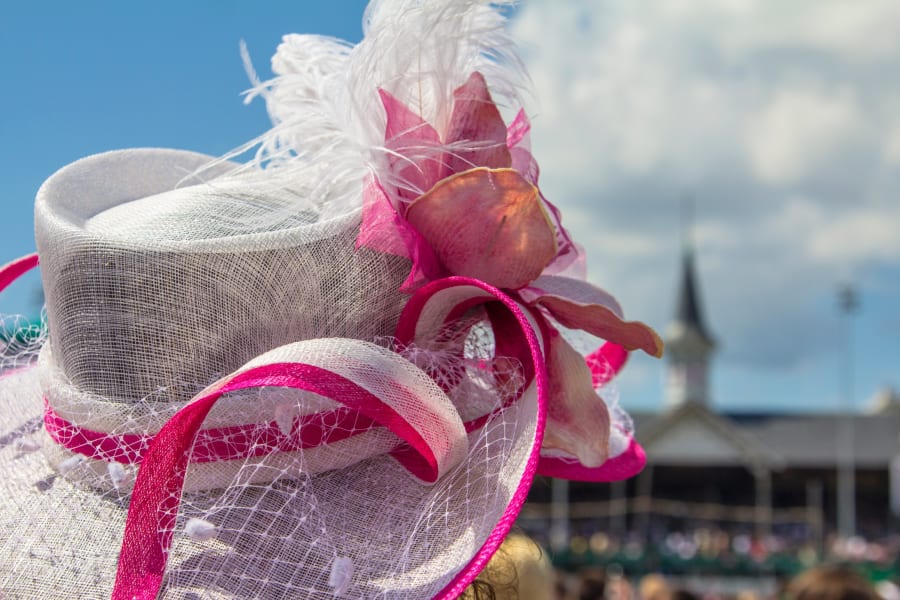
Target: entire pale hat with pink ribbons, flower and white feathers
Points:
x,y
281,379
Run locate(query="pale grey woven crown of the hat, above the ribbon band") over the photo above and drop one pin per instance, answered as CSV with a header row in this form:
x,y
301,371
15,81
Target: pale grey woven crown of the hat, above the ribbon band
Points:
x,y
155,290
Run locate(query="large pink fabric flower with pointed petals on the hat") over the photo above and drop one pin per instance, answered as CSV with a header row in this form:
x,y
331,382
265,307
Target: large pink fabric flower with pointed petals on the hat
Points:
x,y
465,202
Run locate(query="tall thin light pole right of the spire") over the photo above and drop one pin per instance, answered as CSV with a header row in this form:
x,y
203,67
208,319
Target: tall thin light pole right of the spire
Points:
x,y
848,303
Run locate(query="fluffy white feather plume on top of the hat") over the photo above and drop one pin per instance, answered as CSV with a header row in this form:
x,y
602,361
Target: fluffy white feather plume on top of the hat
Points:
x,y
324,102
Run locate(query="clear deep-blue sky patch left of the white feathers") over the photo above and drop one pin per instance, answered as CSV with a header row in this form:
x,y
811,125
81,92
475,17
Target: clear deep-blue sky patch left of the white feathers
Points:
x,y
82,78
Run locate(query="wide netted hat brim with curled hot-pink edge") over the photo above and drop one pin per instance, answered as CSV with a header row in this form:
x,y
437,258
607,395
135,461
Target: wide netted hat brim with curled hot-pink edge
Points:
x,y
402,538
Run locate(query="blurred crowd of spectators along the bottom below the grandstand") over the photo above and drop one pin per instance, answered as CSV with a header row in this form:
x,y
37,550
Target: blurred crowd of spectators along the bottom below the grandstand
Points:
x,y
523,570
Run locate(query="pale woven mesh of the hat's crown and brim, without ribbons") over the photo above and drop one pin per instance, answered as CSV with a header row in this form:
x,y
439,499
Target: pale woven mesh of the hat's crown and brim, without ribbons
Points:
x,y
141,320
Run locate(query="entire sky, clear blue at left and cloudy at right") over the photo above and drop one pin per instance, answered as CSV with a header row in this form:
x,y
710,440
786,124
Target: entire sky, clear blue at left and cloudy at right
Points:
x,y
778,122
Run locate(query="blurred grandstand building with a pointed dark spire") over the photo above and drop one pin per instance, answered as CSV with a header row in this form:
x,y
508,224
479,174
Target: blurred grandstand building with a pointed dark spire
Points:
x,y
754,474
